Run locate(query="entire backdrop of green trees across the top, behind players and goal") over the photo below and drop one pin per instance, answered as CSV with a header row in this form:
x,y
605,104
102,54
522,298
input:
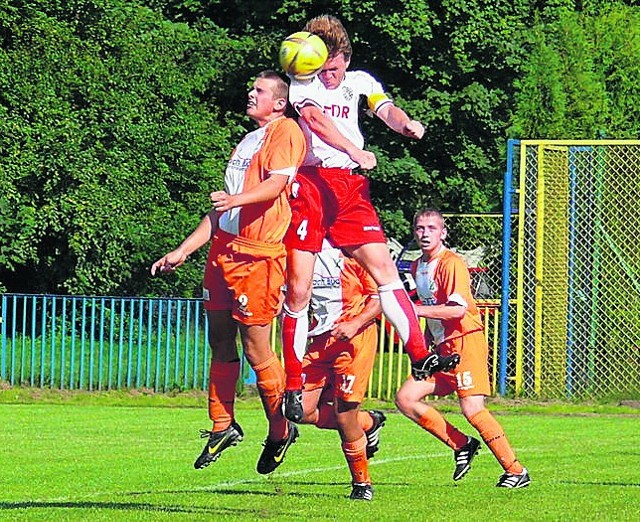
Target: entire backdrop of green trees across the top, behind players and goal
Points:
x,y
116,118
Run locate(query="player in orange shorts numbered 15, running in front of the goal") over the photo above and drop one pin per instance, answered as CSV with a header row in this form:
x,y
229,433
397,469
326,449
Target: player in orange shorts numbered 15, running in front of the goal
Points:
x,y
454,325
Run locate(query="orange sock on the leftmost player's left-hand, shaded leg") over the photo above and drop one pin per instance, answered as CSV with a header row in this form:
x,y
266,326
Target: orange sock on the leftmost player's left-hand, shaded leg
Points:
x,y
223,377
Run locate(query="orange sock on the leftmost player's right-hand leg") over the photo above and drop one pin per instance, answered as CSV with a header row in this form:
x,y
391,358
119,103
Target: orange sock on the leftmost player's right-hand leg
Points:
x,y
270,381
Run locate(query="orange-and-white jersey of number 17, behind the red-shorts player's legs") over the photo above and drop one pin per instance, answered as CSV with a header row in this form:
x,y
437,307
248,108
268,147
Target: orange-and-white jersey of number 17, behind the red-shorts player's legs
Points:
x,y
341,288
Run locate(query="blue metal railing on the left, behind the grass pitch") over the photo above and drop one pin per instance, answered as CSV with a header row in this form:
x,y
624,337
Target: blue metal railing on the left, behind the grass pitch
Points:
x,y
103,343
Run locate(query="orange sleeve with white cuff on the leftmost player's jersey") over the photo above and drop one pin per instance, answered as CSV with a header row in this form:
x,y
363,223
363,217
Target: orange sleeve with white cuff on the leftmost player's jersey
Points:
x,y
287,148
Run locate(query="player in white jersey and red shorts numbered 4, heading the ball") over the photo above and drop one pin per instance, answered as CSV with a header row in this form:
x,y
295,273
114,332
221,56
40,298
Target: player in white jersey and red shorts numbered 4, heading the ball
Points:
x,y
332,201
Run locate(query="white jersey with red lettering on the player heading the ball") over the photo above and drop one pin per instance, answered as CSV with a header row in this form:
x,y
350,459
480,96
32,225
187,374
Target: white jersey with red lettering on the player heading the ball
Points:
x,y
341,105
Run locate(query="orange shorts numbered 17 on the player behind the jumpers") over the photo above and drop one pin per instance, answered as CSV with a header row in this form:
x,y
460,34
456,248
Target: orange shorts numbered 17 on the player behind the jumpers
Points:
x,y
345,364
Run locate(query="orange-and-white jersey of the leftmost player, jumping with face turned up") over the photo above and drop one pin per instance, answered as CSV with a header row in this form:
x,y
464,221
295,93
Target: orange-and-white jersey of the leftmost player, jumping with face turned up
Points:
x,y
277,148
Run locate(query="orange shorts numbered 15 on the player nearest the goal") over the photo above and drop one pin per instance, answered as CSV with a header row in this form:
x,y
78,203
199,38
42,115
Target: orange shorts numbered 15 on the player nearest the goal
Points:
x,y
471,376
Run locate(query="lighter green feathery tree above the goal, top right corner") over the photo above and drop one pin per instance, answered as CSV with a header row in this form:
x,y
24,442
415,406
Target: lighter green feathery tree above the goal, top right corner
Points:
x,y
579,80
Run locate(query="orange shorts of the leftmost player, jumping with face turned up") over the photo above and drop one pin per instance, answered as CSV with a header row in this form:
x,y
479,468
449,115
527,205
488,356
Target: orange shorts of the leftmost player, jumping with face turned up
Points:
x,y
245,277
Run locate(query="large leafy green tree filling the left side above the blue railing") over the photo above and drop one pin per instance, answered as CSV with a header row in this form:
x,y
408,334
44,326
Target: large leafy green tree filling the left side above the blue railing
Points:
x,y
110,142
